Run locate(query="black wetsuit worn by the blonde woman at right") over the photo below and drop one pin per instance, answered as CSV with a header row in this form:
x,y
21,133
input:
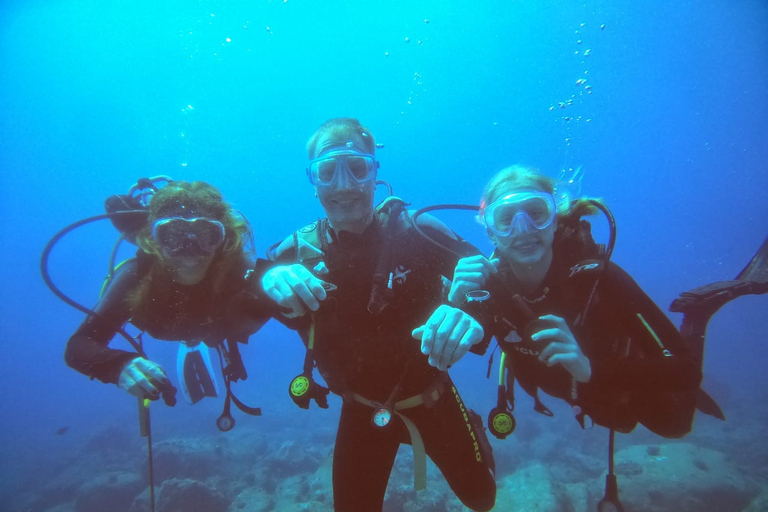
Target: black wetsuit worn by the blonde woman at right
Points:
x,y
642,370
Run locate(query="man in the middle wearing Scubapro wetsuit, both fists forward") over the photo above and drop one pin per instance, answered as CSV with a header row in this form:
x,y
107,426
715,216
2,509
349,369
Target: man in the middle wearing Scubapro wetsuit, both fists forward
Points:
x,y
360,285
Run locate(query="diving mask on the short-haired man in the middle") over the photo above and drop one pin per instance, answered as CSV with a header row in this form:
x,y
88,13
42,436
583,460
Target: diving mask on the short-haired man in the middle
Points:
x,y
344,166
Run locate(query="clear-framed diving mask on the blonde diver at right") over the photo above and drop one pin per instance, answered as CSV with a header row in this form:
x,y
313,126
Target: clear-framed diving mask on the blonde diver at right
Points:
x,y
521,212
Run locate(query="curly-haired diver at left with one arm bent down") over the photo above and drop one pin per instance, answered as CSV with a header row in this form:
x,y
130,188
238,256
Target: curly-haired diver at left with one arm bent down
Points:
x,y
189,282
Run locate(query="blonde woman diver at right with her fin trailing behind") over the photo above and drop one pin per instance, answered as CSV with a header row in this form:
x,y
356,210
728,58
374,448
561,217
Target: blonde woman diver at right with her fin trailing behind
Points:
x,y
575,325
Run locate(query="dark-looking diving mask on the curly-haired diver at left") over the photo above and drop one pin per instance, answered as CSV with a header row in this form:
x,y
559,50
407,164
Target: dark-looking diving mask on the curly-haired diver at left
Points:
x,y
179,235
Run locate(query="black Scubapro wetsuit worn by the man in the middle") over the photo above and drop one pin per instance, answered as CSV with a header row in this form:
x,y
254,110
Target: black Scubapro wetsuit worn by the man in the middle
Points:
x,y
371,356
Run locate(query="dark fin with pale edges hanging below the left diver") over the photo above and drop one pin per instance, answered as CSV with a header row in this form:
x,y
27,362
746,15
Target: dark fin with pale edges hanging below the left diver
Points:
x,y
196,377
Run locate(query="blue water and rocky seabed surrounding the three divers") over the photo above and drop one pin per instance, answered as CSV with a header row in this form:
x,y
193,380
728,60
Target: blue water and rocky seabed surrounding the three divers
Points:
x,y
660,108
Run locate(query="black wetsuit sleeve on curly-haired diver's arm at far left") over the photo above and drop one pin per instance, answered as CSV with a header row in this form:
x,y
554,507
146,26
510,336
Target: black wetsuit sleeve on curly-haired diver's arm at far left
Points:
x,y
87,350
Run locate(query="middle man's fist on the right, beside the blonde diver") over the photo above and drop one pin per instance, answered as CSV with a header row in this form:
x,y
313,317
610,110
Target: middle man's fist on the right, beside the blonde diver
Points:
x,y
447,336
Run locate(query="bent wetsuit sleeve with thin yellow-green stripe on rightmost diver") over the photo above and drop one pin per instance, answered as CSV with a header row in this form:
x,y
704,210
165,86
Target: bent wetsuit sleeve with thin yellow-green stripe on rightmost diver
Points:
x,y
657,358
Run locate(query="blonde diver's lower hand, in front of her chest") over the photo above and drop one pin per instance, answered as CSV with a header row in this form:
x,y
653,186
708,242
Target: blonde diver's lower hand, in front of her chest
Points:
x,y
562,348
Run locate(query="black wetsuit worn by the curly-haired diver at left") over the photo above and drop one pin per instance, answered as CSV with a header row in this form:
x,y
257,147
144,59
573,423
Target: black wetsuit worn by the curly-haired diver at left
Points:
x,y
175,313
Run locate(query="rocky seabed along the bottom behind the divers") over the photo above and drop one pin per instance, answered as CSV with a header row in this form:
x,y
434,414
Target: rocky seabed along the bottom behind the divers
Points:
x,y
267,465
